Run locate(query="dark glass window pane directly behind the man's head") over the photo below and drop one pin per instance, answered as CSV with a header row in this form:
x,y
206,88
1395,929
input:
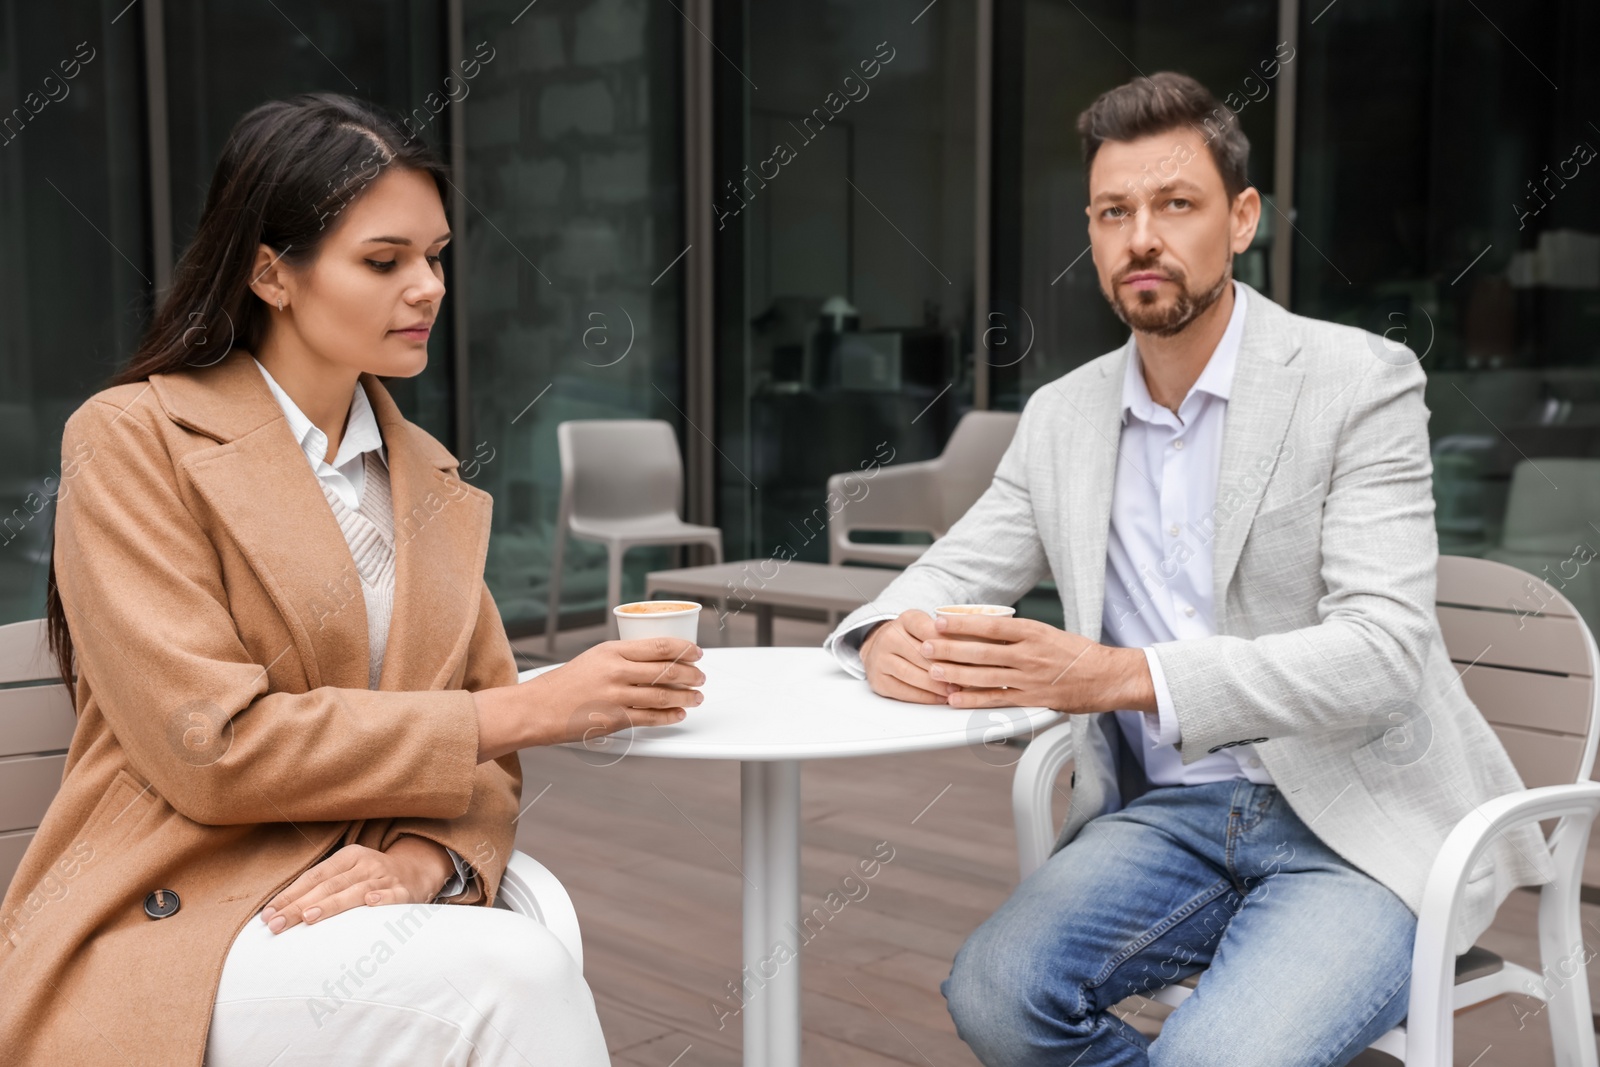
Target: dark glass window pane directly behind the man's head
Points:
x,y
1073,52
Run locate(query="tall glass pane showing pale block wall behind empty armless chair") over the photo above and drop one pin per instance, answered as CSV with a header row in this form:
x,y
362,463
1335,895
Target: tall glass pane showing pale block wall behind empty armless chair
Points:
x,y
574,286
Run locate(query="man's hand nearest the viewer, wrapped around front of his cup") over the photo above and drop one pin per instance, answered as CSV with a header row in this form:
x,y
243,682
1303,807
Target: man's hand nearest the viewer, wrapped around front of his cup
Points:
x,y
1023,663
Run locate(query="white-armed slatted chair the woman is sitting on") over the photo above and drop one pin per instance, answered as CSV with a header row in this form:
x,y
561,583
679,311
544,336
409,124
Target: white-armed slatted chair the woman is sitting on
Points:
x,y
36,725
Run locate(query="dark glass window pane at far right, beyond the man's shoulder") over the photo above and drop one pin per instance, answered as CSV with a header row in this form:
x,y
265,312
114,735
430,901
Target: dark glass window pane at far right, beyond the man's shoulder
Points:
x,y
1449,193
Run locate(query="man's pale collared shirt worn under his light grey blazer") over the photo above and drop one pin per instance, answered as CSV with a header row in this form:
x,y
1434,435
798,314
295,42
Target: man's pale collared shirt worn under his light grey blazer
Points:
x,y
1159,549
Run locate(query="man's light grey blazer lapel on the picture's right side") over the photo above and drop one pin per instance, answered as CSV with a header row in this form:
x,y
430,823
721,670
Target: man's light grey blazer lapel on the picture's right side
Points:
x,y
1260,407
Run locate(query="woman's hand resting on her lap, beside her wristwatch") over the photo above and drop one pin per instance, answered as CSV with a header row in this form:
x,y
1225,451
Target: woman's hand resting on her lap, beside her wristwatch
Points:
x,y
414,871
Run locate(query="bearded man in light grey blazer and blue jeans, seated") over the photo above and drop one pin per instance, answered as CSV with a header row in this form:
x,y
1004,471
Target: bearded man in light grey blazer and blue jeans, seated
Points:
x,y
1238,511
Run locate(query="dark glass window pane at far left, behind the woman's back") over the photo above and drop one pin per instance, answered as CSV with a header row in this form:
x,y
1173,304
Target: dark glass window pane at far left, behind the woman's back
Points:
x,y
76,260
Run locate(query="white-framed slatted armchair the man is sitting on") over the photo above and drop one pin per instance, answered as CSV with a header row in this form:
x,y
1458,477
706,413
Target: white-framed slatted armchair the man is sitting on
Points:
x,y
1534,679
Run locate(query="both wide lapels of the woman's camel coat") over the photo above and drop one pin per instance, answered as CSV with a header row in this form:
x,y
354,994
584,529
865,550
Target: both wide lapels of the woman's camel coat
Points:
x,y
265,495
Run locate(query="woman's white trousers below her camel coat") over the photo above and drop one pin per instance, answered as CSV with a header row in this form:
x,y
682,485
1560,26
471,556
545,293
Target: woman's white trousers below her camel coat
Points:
x,y
406,986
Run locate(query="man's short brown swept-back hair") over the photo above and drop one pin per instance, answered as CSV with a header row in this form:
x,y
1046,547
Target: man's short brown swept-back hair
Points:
x,y
1162,103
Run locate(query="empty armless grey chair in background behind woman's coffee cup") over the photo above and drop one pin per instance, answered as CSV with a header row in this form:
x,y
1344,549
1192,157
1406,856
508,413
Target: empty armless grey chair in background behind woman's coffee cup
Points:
x,y
623,487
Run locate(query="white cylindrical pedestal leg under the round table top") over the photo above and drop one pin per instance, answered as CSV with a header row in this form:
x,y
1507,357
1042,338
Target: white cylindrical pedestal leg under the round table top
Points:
x,y
770,805
